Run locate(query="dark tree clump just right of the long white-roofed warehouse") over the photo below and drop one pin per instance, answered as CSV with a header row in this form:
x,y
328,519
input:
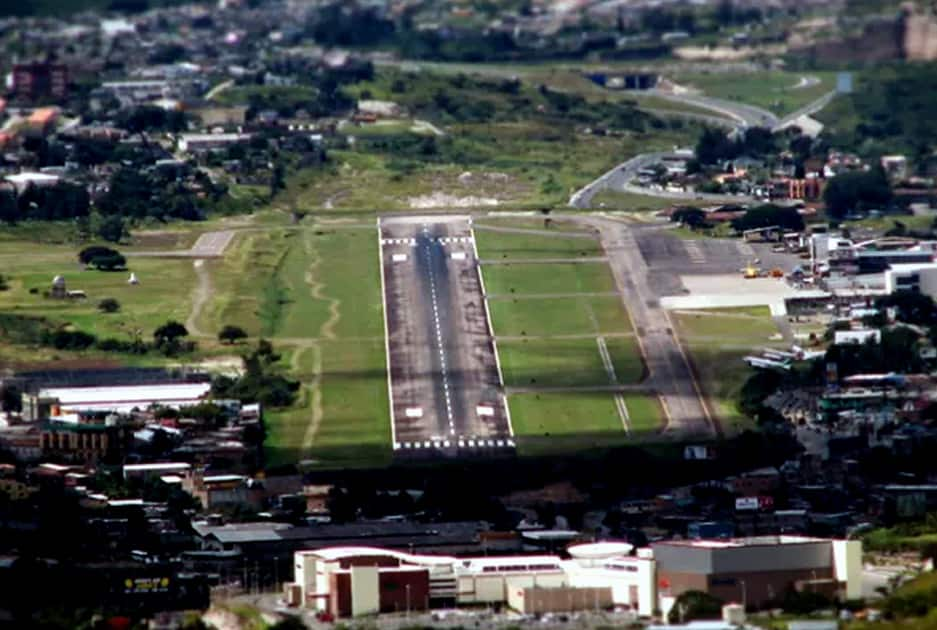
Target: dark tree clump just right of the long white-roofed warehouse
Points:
x,y
261,381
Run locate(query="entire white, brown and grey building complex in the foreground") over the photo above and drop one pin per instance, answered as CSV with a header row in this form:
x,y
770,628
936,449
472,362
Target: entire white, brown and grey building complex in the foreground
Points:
x,y
354,581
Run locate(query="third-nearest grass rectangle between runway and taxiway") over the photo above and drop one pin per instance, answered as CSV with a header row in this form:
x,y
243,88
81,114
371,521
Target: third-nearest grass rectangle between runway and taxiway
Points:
x,y
545,317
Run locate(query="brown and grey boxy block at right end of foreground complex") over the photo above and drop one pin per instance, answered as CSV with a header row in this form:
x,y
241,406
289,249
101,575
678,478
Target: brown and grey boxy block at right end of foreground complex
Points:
x,y
755,571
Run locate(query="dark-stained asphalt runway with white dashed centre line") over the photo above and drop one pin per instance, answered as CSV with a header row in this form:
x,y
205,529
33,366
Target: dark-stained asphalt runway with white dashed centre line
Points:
x,y
445,385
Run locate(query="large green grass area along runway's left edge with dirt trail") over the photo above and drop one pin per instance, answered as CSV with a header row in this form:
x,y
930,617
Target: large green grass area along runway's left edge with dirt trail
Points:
x,y
316,292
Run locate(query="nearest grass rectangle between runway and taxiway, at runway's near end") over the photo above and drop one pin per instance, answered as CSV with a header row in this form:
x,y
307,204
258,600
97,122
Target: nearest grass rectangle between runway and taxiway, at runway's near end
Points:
x,y
553,424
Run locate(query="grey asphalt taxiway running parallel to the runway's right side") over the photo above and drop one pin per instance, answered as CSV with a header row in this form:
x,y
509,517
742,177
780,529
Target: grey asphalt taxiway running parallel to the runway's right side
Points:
x,y
669,370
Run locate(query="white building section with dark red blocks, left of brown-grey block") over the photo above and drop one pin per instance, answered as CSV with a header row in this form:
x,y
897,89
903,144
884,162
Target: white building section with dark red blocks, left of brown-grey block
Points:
x,y
597,576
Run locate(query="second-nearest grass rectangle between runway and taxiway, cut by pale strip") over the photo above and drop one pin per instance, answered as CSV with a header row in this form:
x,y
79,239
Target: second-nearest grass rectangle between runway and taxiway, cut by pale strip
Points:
x,y
568,362
